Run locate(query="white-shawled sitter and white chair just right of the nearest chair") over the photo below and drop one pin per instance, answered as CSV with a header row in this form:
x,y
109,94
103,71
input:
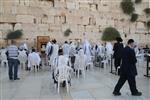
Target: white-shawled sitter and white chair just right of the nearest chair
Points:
x,y
80,63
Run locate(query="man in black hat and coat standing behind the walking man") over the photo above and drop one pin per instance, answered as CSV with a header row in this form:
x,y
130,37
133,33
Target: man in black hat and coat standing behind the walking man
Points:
x,y
118,47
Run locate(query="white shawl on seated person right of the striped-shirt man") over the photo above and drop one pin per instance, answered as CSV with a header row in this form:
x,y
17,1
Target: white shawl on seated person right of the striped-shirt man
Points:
x,y
33,58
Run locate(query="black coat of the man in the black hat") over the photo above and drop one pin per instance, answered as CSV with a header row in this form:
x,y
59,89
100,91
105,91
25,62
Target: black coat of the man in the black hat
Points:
x,y
118,47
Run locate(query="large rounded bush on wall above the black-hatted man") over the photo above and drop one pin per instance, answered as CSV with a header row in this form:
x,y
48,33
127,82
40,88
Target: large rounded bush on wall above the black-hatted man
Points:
x,y
110,34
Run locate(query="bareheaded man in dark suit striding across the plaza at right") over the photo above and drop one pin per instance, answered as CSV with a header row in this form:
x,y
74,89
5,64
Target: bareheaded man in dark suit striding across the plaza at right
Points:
x,y
128,70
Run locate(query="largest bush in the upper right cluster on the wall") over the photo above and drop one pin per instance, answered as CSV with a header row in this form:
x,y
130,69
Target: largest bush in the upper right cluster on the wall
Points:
x,y
127,6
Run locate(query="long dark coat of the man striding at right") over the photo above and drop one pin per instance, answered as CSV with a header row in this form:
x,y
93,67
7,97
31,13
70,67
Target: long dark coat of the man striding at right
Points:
x,y
128,67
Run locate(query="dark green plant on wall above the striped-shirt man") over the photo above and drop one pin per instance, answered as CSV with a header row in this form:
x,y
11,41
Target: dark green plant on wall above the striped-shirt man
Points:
x,y
14,34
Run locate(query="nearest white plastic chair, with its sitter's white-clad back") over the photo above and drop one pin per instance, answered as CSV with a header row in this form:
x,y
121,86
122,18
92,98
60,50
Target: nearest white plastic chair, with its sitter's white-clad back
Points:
x,y
64,72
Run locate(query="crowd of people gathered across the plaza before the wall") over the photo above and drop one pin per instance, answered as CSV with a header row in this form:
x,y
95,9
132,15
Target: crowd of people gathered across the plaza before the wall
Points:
x,y
74,53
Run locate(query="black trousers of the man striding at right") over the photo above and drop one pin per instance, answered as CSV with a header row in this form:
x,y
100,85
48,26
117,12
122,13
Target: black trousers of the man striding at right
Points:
x,y
131,82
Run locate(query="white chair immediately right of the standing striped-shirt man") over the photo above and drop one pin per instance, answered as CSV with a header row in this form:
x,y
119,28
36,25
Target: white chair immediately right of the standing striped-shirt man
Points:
x,y
22,58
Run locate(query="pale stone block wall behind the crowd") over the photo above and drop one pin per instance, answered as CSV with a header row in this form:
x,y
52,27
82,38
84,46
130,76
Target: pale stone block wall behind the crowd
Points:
x,y
48,18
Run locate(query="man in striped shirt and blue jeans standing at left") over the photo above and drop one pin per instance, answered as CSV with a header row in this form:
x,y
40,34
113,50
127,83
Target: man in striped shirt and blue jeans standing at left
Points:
x,y
12,56
